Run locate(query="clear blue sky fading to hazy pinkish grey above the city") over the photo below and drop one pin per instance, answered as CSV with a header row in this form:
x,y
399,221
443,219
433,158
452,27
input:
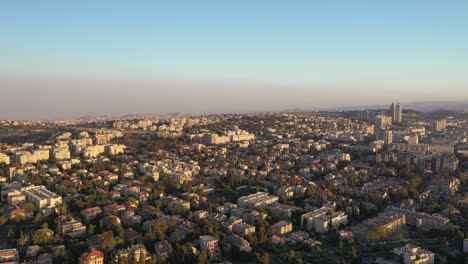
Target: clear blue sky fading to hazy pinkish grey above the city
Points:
x,y
62,59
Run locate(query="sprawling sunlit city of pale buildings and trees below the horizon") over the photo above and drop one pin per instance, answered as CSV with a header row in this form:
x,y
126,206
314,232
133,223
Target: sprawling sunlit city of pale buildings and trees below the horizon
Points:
x,y
364,186
